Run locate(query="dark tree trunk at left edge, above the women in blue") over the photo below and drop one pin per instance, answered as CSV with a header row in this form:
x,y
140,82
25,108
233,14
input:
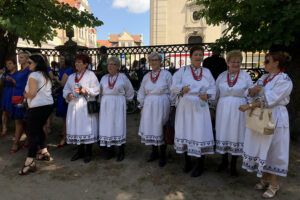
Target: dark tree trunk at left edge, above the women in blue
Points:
x,y
8,45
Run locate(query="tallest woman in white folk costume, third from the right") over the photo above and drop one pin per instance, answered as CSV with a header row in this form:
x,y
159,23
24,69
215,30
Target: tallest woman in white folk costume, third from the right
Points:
x,y
194,85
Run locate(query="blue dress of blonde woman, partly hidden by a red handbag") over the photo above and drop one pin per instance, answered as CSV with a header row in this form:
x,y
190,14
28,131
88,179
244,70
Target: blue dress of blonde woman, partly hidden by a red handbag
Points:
x,y
21,81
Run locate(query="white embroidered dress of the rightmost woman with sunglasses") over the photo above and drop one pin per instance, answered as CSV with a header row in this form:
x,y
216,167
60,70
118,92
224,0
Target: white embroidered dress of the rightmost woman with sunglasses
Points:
x,y
270,153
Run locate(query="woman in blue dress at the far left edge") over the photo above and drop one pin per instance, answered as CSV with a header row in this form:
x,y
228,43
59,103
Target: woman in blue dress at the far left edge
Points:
x,y
8,79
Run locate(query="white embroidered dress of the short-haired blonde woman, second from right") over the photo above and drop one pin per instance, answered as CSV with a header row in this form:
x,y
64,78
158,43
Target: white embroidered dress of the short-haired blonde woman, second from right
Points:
x,y
230,122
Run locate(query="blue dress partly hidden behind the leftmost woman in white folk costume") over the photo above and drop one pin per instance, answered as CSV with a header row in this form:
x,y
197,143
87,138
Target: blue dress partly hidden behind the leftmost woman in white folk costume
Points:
x,y
62,106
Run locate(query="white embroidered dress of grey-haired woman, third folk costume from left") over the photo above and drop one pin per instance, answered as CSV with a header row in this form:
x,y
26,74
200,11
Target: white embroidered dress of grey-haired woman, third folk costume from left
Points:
x,y
155,99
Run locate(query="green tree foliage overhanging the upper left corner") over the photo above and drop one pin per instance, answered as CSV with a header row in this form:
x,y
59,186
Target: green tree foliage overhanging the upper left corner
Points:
x,y
36,21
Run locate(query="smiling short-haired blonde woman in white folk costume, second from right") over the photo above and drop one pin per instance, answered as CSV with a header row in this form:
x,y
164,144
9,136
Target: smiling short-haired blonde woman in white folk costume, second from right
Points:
x,y
232,89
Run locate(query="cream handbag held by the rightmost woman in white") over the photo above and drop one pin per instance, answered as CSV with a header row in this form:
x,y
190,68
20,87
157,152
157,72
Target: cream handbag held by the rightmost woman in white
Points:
x,y
260,120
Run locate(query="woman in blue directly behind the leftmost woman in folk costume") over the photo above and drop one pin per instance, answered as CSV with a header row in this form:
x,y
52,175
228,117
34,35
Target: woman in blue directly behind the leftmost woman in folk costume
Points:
x,y
62,107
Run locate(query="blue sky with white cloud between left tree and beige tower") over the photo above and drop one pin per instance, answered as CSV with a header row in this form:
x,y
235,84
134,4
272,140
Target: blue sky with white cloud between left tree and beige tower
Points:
x,y
122,15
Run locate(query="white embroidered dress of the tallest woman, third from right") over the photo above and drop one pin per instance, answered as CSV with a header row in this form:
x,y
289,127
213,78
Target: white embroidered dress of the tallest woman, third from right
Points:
x,y
193,128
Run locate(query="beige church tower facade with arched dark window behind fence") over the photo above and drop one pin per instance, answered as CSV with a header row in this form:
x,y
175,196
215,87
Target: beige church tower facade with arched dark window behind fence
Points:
x,y
175,22
